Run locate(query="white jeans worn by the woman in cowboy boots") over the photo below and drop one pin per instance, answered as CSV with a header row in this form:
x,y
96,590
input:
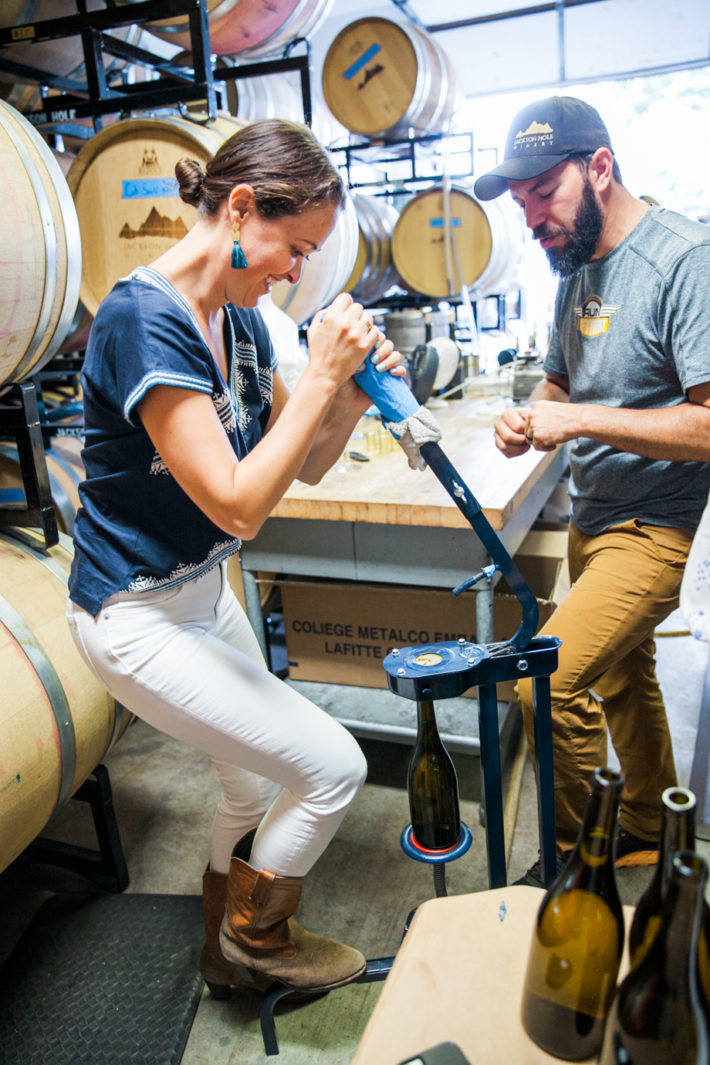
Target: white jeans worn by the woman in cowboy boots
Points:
x,y
187,662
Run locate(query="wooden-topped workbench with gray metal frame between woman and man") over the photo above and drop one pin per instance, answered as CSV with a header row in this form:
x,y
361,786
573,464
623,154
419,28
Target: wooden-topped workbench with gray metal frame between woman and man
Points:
x,y
379,521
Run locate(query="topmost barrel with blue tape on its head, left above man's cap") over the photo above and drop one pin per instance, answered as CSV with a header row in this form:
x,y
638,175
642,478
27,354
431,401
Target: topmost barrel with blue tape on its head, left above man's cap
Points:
x,y
381,79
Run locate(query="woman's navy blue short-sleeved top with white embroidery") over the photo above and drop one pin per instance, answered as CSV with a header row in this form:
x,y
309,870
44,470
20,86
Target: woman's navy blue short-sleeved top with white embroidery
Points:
x,y
137,530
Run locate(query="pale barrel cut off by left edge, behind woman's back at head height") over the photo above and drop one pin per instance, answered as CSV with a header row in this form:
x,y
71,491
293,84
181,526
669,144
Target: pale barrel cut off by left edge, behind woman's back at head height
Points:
x,y
41,269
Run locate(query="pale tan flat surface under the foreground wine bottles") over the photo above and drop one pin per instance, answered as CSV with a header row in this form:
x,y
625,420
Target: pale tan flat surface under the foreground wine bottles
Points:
x,y
458,978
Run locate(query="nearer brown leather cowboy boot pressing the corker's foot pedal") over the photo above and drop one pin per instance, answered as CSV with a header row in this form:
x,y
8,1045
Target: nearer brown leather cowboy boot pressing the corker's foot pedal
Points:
x,y
260,935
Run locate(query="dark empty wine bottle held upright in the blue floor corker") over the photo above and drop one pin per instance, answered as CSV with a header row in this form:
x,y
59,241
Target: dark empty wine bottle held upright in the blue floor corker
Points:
x,y
433,787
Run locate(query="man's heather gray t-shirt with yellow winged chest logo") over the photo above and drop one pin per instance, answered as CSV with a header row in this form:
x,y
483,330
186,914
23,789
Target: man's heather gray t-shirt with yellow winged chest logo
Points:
x,y
633,331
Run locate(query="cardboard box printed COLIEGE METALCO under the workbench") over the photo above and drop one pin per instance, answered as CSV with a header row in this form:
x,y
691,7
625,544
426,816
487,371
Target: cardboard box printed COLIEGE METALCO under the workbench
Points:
x,y
341,632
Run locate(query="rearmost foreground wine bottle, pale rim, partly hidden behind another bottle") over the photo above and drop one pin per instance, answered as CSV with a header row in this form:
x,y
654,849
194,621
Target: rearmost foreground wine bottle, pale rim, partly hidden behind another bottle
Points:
x,y
678,834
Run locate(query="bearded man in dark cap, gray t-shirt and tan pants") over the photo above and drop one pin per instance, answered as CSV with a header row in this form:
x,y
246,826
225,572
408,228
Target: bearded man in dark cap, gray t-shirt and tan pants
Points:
x,y
628,387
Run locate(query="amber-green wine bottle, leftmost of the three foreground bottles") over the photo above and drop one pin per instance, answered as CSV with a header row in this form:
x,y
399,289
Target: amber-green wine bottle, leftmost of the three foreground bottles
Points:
x,y
579,938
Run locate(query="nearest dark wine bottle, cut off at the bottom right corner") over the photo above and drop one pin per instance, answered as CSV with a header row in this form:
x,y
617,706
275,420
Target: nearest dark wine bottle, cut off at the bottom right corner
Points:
x,y
659,1015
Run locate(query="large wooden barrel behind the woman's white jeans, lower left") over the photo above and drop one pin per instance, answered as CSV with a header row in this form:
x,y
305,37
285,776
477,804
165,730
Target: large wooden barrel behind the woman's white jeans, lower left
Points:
x,y
57,720
